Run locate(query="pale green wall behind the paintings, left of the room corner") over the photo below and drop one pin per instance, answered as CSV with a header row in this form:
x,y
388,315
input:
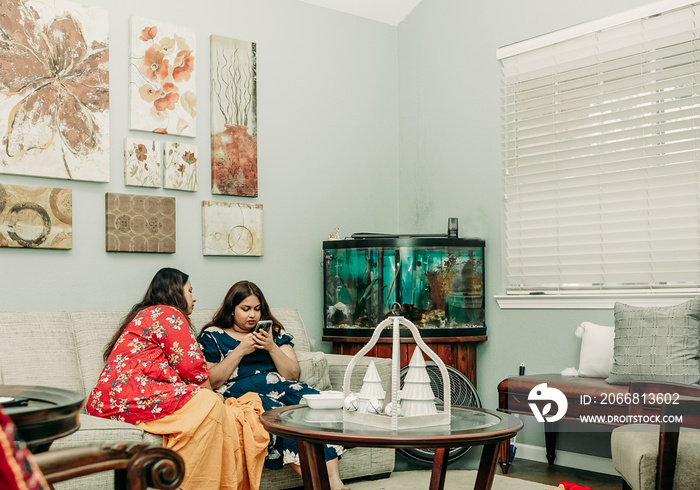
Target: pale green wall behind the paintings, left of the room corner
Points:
x,y
327,128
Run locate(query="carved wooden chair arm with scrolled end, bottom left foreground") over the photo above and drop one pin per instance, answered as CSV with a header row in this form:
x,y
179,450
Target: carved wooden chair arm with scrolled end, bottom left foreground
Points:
x,y
137,466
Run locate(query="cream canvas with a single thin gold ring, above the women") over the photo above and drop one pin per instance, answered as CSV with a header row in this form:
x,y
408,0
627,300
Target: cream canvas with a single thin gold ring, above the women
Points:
x,y
230,228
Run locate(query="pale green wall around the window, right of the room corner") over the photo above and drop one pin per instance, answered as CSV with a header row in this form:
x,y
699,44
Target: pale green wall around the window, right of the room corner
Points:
x,y
450,159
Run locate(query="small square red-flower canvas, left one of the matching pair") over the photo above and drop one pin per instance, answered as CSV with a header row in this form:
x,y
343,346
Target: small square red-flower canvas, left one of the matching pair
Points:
x,y
142,162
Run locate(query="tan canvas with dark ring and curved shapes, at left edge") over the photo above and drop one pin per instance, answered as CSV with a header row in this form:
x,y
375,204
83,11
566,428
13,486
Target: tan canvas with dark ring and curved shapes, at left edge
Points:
x,y
36,217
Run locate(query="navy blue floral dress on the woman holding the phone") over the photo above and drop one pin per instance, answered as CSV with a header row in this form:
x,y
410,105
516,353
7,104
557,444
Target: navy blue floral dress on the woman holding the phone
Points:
x,y
256,373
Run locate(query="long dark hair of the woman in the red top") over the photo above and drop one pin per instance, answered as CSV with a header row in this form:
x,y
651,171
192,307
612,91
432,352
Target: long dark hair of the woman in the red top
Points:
x,y
166,288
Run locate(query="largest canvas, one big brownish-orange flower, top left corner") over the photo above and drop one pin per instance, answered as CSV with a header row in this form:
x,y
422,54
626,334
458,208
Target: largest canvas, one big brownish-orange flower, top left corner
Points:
x,y
54,90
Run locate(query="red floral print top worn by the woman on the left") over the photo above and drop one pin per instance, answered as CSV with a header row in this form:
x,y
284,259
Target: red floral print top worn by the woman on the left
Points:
x,y
154,369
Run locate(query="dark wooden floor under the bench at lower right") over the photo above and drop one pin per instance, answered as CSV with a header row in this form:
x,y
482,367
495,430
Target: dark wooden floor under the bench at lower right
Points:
x,y
552,475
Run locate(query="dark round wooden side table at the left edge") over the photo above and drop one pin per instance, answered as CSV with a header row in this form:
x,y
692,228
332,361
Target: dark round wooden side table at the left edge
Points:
x,y
50,413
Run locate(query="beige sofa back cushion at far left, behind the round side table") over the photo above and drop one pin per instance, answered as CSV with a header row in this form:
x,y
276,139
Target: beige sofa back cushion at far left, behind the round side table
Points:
x,y
38,347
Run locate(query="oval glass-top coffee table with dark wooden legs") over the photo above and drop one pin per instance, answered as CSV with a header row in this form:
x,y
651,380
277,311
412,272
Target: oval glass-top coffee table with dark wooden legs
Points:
x,y
468,427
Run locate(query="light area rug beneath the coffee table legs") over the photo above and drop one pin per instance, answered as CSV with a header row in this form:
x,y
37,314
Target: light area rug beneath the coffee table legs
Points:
x,y
458,479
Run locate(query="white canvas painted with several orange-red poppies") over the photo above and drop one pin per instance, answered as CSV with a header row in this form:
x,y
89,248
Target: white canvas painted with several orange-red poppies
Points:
x,y
162,95
